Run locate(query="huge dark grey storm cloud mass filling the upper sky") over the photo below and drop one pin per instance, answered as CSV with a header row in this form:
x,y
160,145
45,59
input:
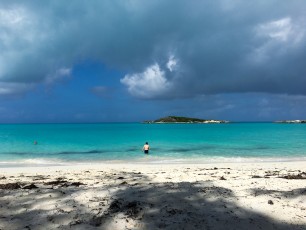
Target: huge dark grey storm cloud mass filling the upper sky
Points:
x,y
168,49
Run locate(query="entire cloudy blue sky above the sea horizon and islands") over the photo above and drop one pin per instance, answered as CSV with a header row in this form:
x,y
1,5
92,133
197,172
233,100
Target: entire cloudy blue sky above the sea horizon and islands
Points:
x,y
133,60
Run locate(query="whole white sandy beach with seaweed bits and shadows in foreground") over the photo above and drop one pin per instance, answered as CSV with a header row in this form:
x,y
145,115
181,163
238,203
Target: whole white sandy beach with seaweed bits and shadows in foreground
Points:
x,y
148,196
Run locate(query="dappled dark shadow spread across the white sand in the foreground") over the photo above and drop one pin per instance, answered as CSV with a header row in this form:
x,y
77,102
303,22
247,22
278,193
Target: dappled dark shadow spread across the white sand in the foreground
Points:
x,y
133,201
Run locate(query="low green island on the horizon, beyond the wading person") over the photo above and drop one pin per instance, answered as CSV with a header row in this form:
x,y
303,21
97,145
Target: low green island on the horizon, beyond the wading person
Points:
x,y
176,119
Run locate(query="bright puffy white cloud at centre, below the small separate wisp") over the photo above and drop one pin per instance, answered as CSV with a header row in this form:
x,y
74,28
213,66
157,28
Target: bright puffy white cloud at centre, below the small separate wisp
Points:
x,y
150,83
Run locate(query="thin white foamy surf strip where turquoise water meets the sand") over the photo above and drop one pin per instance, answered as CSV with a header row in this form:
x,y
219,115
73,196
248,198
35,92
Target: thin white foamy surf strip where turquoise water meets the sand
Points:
x,y
149,160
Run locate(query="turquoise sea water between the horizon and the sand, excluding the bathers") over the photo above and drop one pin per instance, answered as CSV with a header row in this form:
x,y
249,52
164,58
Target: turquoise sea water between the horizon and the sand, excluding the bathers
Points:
x,y
170,143
